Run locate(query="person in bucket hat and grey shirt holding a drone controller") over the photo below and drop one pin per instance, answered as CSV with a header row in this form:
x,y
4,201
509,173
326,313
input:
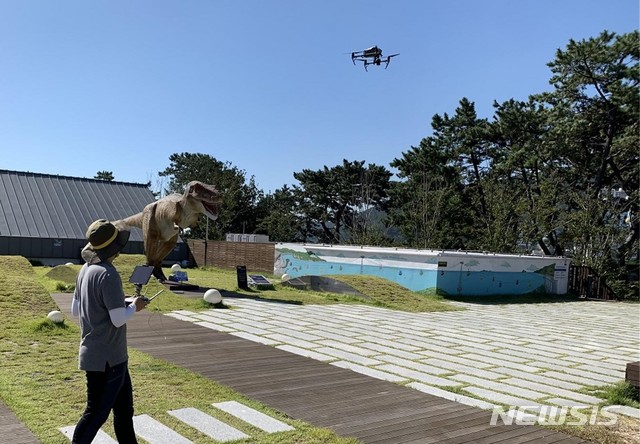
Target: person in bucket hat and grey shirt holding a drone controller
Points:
x,y
99,302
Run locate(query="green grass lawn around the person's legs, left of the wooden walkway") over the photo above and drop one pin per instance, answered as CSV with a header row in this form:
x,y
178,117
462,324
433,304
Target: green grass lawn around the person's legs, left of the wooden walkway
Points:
x,y
40,381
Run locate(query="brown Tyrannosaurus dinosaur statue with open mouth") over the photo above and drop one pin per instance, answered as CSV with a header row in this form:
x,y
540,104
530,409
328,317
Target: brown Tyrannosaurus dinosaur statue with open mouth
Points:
x,y
162,220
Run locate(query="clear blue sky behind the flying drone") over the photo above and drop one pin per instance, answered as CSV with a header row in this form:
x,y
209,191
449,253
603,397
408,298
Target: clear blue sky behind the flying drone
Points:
x,y
267,85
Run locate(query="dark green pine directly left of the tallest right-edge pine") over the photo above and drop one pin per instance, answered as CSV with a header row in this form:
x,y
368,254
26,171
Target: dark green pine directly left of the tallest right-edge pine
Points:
x,y
531,194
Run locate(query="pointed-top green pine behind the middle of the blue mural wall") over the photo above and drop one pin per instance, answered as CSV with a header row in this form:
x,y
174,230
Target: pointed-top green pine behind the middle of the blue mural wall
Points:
x,y
444,198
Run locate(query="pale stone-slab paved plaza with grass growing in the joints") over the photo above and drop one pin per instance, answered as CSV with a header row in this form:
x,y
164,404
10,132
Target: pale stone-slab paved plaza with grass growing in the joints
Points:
x,y
519,354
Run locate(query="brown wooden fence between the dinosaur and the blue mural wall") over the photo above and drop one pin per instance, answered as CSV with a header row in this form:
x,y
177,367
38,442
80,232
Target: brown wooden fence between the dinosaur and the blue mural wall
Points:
x,y
255,256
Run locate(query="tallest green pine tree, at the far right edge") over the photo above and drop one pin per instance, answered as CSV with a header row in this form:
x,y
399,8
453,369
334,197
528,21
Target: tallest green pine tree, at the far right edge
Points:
x,y
594,111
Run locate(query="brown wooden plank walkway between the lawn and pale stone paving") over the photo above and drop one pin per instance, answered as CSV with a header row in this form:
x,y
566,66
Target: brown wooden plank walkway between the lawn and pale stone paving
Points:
x,y
351,404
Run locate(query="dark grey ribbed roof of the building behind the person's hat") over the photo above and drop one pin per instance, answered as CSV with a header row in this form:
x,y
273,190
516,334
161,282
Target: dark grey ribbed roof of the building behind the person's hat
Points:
x,y
60,207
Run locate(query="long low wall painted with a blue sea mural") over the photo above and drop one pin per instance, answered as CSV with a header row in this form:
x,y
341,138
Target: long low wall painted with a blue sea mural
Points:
x,y
455,273
